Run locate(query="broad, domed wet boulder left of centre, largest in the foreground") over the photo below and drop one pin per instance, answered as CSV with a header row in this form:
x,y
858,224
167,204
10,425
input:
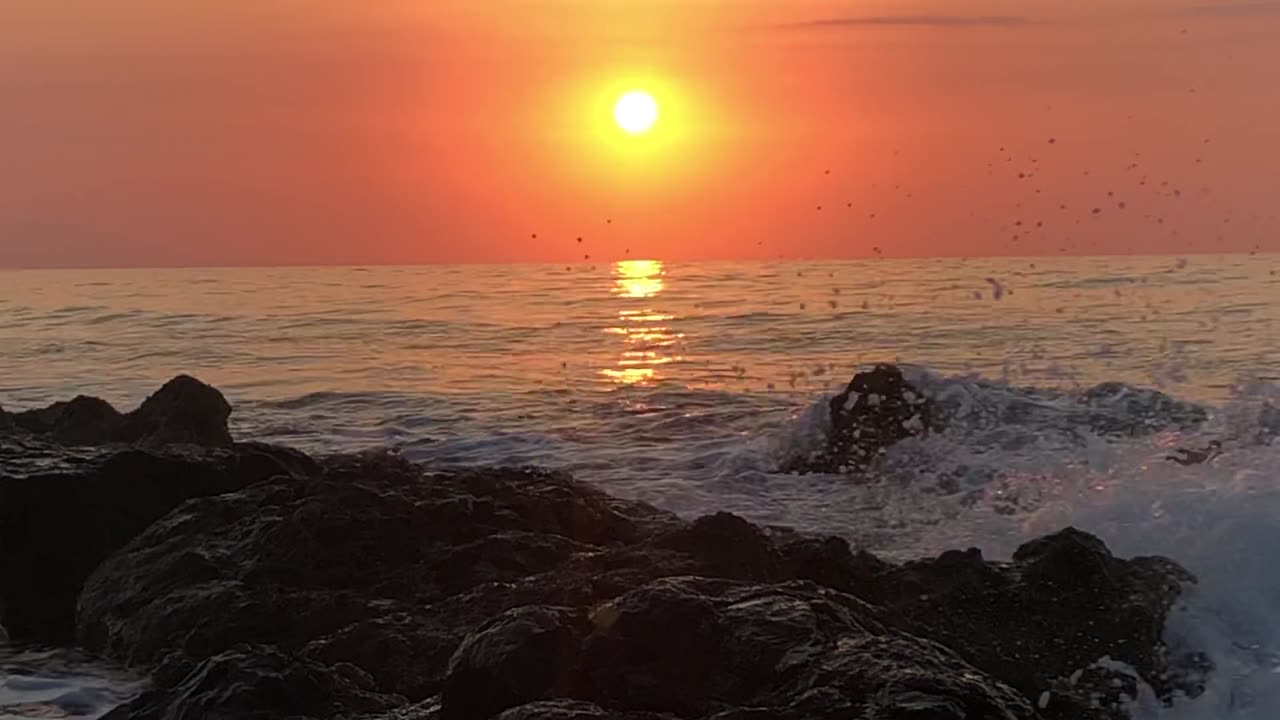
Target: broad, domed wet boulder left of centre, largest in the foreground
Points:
x,y
355,559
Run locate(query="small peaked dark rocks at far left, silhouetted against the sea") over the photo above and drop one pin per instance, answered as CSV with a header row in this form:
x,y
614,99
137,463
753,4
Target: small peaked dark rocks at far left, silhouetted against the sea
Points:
x,y
184,412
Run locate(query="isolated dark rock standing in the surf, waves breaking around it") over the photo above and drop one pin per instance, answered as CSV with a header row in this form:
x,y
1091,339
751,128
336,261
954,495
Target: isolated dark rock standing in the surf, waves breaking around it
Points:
x,y
879,409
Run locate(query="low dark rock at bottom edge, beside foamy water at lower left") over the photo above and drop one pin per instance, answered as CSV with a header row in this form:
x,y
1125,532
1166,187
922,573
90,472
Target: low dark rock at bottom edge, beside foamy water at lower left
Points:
x,y
258,683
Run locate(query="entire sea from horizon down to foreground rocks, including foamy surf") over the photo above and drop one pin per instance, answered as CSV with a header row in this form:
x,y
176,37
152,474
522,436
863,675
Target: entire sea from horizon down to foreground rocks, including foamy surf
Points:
x,y
685,385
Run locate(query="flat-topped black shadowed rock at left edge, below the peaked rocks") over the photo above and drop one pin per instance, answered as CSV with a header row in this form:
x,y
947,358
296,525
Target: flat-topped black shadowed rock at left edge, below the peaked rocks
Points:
x,y
63,512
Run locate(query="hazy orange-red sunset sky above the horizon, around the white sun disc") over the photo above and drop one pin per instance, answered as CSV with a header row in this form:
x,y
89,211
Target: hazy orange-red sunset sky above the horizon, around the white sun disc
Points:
x,y
152,133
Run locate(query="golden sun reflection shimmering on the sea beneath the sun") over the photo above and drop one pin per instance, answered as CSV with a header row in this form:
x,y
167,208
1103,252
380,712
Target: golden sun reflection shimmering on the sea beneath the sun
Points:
x,y
650,341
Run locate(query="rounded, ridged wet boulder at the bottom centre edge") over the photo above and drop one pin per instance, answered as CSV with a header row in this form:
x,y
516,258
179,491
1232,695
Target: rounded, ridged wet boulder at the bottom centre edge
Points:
x,y
694,648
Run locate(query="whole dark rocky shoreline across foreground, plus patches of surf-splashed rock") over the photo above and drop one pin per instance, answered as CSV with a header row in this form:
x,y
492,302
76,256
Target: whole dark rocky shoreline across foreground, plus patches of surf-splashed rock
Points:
x,y
257,582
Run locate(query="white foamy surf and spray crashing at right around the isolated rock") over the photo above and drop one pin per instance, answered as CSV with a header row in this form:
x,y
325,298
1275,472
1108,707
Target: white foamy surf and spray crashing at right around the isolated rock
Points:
x,y
1014,464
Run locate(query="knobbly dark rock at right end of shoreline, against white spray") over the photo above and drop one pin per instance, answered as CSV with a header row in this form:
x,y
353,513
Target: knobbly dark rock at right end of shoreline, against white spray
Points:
x,y
1009,619
